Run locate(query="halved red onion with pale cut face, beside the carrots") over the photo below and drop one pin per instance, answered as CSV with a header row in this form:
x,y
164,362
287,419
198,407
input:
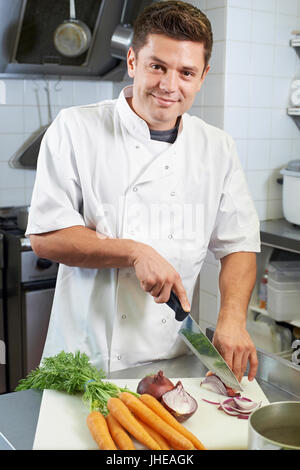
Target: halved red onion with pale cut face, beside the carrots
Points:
x,y
179,403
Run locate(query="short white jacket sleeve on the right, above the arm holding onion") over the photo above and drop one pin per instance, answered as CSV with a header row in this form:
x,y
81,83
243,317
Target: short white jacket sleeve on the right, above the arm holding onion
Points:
x,y
237,225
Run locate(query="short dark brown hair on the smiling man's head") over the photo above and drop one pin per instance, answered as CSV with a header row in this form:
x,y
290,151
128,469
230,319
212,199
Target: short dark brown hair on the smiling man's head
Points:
x,y
176,19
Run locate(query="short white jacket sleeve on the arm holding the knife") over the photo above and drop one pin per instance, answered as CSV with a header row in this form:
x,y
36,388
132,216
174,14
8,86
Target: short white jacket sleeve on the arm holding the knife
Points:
x,y
57,198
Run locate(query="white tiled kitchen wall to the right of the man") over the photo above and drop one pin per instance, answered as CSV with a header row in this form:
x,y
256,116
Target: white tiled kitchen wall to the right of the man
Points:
x,y
247,94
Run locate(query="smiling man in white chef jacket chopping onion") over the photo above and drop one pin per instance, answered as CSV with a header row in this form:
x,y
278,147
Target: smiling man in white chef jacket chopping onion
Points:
x,y
129,196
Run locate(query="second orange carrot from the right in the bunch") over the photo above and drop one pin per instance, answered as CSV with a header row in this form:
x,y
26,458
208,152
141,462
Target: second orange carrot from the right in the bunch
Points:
x,y
155,422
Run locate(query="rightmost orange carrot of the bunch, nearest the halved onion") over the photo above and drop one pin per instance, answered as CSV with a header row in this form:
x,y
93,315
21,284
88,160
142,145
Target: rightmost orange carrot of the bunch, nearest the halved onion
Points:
x,y
161,411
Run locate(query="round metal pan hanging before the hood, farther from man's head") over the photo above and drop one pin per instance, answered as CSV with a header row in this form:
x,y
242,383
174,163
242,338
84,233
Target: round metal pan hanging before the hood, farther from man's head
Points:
x,y
72,38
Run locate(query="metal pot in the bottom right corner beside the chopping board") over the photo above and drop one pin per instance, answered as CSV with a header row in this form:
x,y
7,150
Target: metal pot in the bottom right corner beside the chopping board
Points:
x,y
275,427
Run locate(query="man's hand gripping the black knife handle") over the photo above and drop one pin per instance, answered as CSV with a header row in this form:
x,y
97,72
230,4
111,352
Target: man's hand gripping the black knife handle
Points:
x,y
157,276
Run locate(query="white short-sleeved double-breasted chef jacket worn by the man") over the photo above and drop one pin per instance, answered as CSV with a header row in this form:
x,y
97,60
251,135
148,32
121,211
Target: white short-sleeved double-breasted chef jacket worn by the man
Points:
x,y
99,168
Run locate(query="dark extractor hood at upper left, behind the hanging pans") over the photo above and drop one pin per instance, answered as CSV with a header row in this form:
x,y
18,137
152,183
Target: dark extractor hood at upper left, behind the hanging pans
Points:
x,y
27,38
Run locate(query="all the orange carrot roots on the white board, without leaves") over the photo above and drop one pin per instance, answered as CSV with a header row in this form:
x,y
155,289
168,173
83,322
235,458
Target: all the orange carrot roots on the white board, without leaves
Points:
x,y
143,418
